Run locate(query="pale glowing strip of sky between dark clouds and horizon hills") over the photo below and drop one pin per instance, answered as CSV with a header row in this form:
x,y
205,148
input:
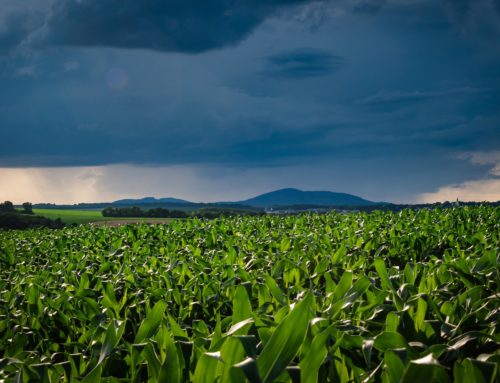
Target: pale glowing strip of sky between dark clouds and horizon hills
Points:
x,y
73,185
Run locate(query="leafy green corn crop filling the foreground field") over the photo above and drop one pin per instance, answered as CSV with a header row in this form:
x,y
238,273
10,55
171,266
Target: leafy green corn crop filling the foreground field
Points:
x,y
364,297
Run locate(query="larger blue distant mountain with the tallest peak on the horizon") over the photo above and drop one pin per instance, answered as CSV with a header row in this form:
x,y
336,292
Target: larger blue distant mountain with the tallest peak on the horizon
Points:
x,y
290,197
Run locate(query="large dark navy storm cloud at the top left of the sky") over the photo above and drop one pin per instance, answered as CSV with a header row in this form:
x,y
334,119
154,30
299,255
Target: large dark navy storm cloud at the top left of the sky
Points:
x,y
191,26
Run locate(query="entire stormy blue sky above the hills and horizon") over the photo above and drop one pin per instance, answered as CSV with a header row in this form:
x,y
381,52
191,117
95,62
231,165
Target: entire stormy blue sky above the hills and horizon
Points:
x,y
391,100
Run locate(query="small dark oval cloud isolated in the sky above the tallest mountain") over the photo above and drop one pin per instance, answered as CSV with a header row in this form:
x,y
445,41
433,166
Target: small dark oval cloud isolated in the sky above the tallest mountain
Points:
x,y
302,63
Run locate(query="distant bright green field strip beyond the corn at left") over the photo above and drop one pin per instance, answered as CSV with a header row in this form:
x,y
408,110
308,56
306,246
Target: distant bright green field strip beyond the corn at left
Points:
x,y
70,216
